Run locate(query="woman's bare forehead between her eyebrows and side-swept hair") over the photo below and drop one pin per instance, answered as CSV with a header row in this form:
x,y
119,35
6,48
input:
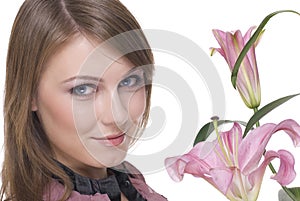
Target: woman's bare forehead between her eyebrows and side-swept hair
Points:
x,y
81,56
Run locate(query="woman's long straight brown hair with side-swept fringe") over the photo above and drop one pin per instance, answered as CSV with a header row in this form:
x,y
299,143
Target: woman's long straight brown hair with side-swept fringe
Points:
x,y
40,28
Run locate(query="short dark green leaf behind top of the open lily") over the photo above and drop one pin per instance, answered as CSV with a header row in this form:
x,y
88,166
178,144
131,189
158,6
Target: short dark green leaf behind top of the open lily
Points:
x,y
208,128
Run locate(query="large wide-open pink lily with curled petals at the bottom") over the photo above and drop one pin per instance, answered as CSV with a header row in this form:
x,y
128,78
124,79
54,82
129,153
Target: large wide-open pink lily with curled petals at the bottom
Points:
x,y
233,164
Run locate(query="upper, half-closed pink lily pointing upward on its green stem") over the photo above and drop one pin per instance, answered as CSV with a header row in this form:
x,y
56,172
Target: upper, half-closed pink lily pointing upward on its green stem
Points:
x,y
248,79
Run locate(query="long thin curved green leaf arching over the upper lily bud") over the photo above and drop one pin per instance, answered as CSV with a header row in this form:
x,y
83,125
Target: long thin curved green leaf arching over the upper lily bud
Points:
x,y
251,41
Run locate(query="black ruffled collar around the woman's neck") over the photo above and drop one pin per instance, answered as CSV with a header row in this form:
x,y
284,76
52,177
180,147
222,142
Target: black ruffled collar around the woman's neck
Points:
x,y
113,185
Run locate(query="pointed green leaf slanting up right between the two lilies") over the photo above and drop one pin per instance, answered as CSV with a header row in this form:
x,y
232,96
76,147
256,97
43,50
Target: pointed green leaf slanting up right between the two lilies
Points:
x,y
265,110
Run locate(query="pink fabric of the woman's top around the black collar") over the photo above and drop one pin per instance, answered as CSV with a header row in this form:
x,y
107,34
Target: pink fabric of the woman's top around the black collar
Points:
x,y
57,190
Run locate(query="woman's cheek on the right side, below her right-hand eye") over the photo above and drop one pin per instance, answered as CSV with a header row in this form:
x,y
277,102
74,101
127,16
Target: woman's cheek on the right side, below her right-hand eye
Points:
x,y
137,104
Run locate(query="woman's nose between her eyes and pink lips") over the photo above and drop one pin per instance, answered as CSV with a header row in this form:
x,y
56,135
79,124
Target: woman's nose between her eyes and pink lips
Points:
x,y
111,110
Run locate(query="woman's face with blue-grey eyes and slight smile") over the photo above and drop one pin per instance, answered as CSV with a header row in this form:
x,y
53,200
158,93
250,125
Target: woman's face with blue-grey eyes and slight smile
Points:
x,y
89,105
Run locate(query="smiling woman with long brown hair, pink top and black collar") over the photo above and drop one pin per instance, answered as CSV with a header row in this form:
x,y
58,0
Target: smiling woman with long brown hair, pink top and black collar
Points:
x,y
77,95
